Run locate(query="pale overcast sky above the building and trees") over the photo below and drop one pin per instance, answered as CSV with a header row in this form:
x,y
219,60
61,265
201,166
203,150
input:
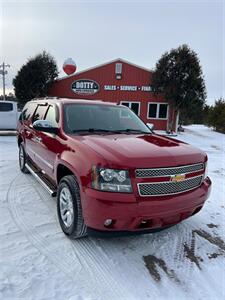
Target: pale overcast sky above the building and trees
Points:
x,y
94,32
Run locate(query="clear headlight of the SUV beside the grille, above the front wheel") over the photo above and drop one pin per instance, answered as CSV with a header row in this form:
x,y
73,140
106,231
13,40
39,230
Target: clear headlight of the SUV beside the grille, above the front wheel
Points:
x,y
111,180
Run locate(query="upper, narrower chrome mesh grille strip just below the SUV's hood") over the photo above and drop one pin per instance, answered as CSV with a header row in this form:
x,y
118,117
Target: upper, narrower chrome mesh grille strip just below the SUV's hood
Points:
x,y
157,172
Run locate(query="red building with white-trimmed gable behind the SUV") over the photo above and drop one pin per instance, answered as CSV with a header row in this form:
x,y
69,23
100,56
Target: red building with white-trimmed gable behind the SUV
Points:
x,y
117,81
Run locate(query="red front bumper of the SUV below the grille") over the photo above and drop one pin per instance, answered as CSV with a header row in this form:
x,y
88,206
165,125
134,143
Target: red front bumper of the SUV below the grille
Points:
x,y
139,214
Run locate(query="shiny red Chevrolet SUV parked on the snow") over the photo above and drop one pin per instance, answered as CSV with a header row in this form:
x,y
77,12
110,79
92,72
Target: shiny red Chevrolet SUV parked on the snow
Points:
x,y
112,175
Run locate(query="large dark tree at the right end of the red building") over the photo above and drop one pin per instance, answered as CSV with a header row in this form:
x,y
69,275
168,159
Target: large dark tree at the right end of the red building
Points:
x,y
178,75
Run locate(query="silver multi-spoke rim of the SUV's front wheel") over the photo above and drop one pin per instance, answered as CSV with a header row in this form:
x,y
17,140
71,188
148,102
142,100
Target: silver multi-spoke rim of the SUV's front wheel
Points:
x,y
66,207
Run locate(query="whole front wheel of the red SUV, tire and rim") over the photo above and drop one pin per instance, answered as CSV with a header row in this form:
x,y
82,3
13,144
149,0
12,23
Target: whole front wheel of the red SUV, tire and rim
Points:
x,y
69,208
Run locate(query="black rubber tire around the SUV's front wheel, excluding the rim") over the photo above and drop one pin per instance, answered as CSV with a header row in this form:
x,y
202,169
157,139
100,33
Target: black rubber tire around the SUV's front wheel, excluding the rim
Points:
x,y
77,229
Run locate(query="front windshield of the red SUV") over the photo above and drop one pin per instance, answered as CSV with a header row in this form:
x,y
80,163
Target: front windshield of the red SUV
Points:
x,y
98,117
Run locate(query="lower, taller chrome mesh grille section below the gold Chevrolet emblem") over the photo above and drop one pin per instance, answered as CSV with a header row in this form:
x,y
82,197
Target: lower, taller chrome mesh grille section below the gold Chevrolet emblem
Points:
x,y
169,187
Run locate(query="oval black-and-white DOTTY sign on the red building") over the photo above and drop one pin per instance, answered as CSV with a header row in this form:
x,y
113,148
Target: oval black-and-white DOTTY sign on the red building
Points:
x,y
85,87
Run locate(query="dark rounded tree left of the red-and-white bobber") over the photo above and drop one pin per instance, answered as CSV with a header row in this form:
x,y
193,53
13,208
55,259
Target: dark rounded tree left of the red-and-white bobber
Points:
x,y
34,78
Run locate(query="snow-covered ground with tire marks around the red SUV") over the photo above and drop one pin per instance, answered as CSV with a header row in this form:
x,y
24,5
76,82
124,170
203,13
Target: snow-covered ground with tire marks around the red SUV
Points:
x,y
38,262
